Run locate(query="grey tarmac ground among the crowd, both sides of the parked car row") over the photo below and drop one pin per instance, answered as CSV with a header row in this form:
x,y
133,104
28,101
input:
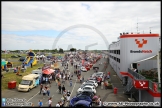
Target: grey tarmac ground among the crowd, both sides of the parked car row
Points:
x,y
33,96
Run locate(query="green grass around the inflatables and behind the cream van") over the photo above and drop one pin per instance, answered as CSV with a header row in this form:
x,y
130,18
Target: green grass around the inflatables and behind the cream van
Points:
x,y
10,76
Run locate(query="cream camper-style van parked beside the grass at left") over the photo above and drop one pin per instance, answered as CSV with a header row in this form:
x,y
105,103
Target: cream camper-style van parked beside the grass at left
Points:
x,y
28,82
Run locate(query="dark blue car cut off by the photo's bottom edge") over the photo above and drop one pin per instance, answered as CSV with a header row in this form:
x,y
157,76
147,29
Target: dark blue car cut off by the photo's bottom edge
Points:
x,y
83,103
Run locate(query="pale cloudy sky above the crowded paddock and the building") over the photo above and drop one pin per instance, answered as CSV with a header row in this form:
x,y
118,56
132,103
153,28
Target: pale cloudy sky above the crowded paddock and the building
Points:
x,y
81,25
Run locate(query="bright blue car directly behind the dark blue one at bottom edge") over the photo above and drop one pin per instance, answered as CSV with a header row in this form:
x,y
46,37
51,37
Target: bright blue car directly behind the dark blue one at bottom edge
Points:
x,y
78,98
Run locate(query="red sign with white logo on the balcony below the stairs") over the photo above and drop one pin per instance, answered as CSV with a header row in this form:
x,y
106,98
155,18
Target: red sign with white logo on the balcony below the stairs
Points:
x,y
141,84
